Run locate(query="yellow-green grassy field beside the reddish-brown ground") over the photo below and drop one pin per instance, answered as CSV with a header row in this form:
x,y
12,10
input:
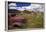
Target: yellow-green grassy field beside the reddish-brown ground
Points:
x,y
33,20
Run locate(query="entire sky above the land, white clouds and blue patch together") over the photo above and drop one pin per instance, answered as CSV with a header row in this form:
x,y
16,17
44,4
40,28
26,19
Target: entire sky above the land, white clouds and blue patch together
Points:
x,y
26,6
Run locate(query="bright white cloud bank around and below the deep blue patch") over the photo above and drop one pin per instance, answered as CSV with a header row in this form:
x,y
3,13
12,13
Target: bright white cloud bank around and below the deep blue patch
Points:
x,y
33,7
